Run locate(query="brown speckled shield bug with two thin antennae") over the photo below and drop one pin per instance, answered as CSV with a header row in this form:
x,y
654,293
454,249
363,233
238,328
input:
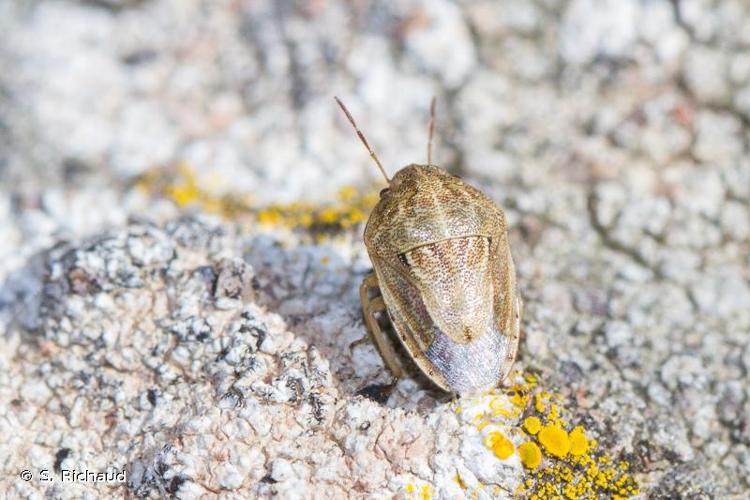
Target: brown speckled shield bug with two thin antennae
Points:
x,y
444,275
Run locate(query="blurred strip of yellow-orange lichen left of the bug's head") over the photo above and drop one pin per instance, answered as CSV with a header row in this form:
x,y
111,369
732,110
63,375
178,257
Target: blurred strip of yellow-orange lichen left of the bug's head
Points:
x,y
180,185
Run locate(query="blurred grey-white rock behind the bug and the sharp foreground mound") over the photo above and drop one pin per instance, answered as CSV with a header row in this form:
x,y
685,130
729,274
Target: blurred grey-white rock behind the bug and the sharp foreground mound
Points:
x,y
615,133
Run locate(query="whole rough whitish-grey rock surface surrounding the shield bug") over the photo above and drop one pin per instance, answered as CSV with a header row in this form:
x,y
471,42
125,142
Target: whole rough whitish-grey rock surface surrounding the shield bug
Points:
x,y
208,355
